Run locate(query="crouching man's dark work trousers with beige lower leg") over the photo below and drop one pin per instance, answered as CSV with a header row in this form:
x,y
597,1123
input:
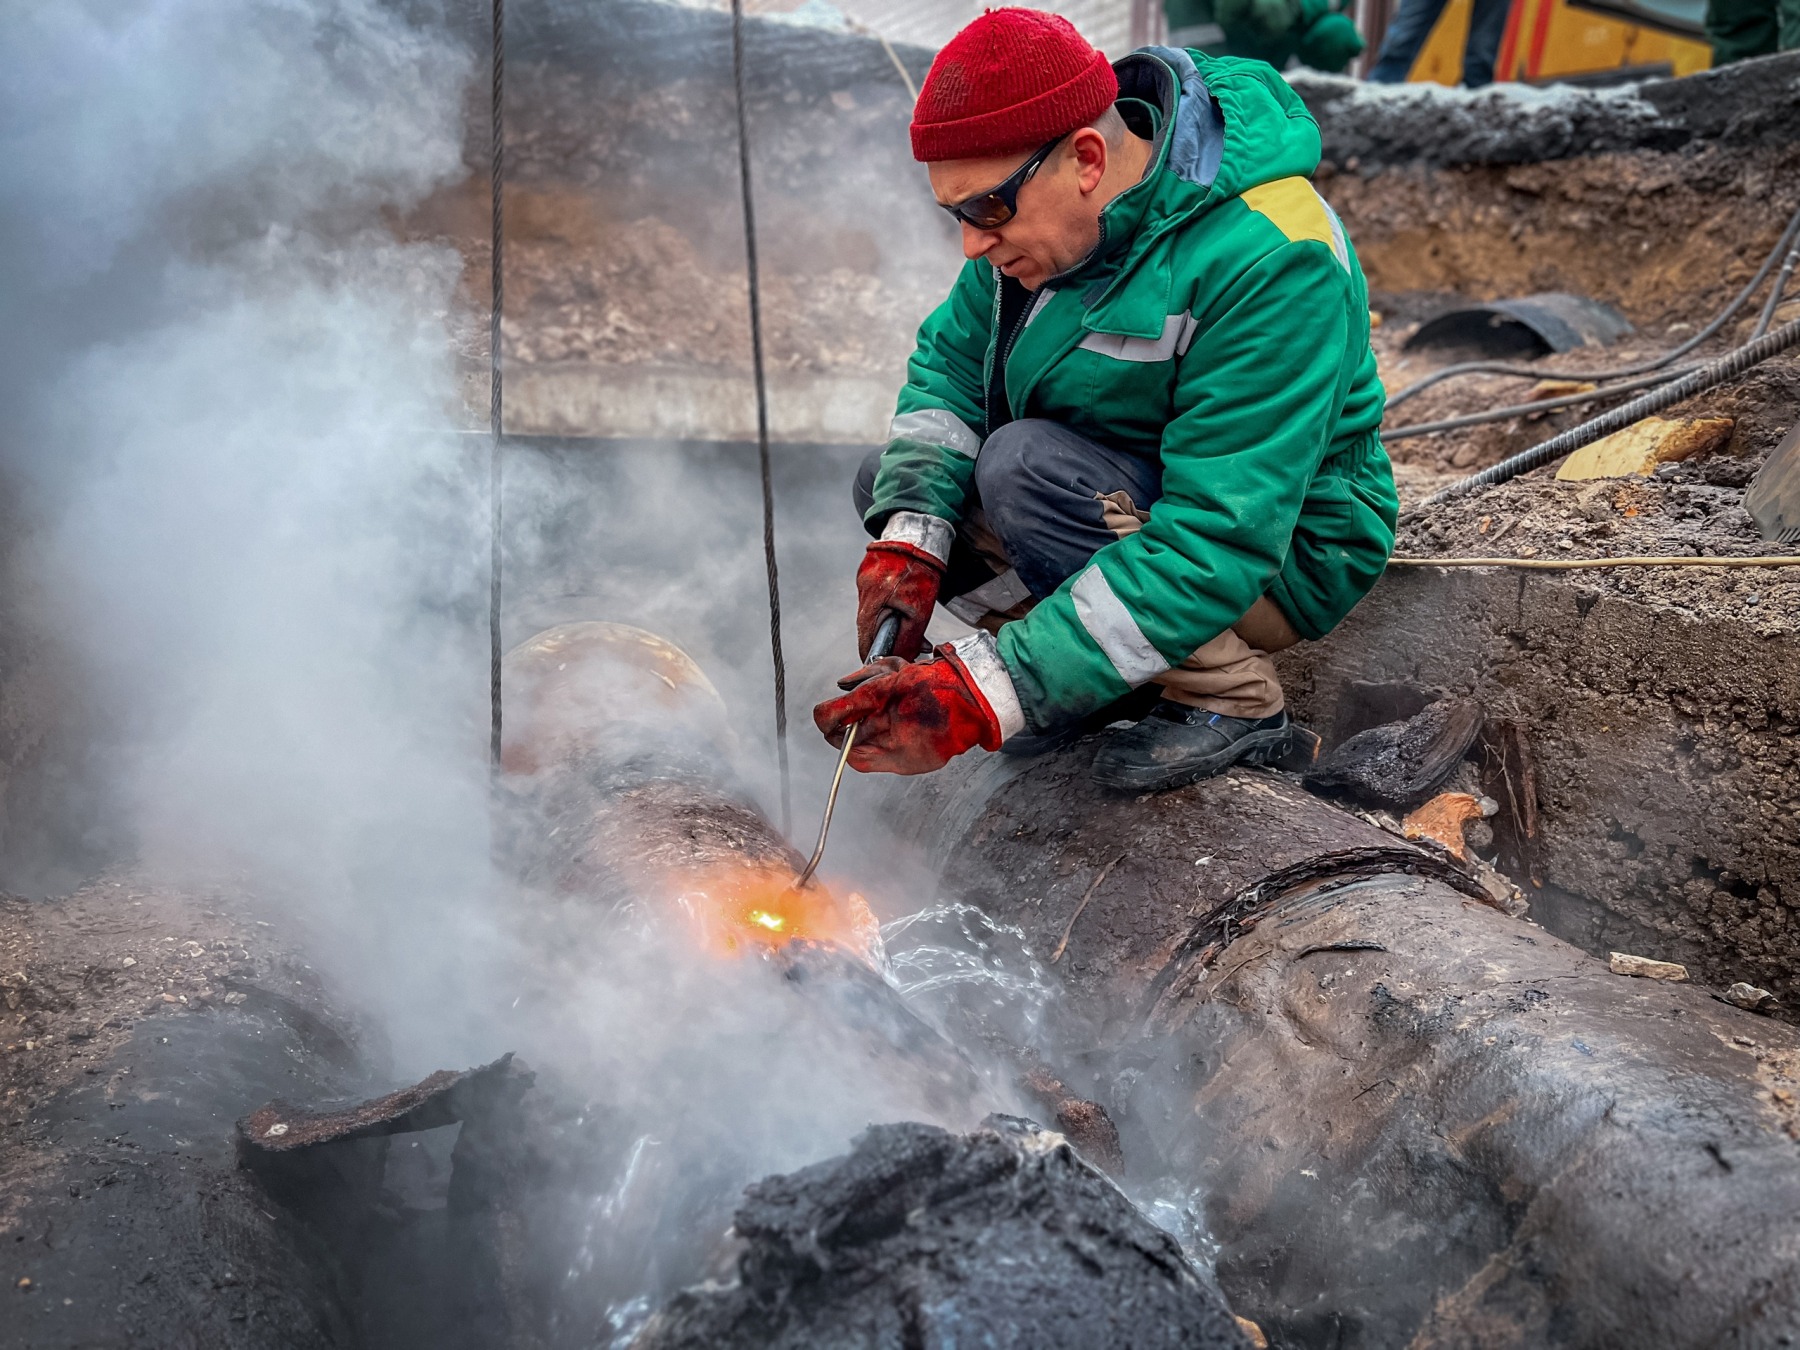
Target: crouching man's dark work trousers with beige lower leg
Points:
x,y
1045,501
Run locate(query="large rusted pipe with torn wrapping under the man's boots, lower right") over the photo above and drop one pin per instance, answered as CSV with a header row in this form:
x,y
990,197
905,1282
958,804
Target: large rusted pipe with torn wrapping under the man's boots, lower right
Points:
x,y
1412,1119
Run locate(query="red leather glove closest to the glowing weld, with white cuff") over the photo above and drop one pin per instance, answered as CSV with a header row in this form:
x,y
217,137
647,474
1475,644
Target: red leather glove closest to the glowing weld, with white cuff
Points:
x,y
915,717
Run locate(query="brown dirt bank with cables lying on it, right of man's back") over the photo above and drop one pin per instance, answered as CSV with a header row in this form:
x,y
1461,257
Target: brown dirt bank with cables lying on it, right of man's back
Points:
x,y
1660,202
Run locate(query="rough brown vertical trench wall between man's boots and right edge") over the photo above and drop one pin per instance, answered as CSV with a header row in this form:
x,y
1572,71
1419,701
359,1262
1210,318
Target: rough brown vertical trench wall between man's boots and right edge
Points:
x,y
1664,741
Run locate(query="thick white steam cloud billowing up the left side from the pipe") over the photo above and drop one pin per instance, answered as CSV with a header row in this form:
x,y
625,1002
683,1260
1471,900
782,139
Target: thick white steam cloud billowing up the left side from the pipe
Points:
x,y
253,548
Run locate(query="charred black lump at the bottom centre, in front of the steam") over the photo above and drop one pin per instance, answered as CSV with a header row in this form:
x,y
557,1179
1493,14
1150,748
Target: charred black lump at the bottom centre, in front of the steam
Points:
x,y
919,1237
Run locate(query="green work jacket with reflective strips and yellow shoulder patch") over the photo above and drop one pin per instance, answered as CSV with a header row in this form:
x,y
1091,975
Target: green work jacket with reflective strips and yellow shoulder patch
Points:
x,y
1221,327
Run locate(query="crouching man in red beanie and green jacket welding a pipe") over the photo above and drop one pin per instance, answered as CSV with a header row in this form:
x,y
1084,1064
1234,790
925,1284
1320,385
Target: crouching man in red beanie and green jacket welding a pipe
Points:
x,y
1140,440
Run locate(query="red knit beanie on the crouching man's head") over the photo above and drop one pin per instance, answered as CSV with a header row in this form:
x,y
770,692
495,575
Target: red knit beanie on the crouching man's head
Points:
x,y
1011,82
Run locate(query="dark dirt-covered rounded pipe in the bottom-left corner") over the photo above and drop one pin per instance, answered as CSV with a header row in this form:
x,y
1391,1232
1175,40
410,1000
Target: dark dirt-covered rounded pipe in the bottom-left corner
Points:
x,y
127,1200
